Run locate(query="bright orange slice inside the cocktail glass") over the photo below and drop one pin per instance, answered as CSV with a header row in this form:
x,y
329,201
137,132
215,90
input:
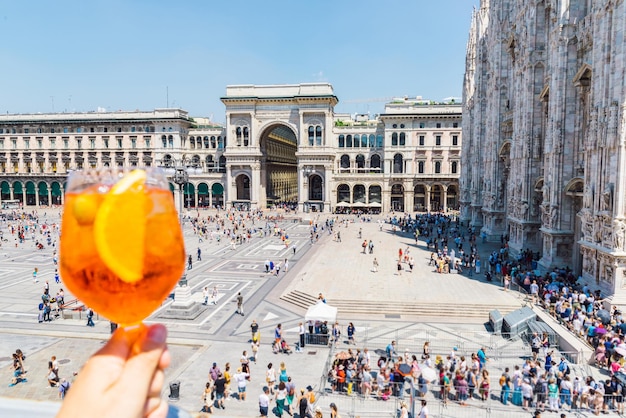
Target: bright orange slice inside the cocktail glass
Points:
x,y
120,227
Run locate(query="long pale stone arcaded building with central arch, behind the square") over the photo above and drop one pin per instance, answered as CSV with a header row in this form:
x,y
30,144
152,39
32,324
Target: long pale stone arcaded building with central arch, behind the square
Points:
x,y
280,144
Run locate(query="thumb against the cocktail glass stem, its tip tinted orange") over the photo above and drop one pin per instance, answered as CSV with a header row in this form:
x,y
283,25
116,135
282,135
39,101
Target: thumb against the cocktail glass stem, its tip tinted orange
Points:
x,y
143,362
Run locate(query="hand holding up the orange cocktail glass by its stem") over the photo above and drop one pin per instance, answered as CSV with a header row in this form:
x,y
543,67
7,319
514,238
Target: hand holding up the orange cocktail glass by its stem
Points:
x,y
124,378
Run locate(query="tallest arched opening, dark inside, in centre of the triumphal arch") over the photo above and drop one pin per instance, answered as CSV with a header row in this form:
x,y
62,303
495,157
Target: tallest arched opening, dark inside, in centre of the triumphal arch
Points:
x,y
279,165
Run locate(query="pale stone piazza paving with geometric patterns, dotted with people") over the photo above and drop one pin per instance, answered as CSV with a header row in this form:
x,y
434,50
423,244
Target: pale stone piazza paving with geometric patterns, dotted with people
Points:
x,y
337,269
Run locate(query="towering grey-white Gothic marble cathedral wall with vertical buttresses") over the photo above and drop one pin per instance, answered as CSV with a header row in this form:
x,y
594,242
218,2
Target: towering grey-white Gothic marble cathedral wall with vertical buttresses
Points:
x,y
545,134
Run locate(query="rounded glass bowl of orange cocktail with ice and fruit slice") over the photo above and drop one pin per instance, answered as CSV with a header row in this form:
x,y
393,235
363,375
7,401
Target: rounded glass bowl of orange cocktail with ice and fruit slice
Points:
x,y
122,248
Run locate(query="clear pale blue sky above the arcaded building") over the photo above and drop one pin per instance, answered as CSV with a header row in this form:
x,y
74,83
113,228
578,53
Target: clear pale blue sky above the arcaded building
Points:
x,y
77,55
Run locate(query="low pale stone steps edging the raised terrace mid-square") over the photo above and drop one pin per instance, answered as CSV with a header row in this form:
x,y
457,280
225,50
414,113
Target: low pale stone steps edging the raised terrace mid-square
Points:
x,y
356,307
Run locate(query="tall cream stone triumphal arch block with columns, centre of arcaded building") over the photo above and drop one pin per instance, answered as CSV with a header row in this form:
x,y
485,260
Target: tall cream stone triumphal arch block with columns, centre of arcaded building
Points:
x,y
279,145
